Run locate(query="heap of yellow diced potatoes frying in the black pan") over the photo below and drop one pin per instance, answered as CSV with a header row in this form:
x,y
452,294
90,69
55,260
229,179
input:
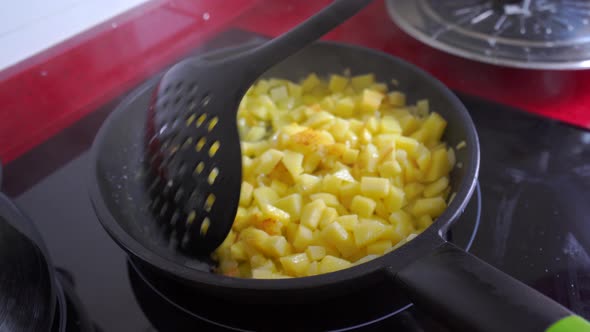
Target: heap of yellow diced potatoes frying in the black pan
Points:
x,y
335,170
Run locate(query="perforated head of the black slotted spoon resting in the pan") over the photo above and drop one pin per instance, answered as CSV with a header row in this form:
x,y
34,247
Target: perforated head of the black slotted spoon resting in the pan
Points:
x,y
194,153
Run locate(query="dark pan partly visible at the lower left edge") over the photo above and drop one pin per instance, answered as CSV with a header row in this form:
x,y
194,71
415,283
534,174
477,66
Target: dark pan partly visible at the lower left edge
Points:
x,y
28,293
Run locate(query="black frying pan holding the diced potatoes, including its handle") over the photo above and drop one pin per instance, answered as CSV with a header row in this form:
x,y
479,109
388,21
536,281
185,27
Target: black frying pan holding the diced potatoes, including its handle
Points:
x,y
455,286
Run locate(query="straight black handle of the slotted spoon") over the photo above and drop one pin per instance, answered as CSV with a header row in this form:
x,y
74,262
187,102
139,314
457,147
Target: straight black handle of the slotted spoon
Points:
x,y
265,56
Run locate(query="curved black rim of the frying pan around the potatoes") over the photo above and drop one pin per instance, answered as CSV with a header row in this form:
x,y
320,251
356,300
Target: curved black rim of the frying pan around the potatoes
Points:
x,y
191,276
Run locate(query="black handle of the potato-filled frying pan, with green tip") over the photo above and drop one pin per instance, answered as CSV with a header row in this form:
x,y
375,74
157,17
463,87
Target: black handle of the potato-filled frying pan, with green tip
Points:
x,y
471,295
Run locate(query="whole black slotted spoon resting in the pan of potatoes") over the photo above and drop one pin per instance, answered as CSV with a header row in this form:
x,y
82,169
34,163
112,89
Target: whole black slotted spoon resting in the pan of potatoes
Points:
x,y
194,153
